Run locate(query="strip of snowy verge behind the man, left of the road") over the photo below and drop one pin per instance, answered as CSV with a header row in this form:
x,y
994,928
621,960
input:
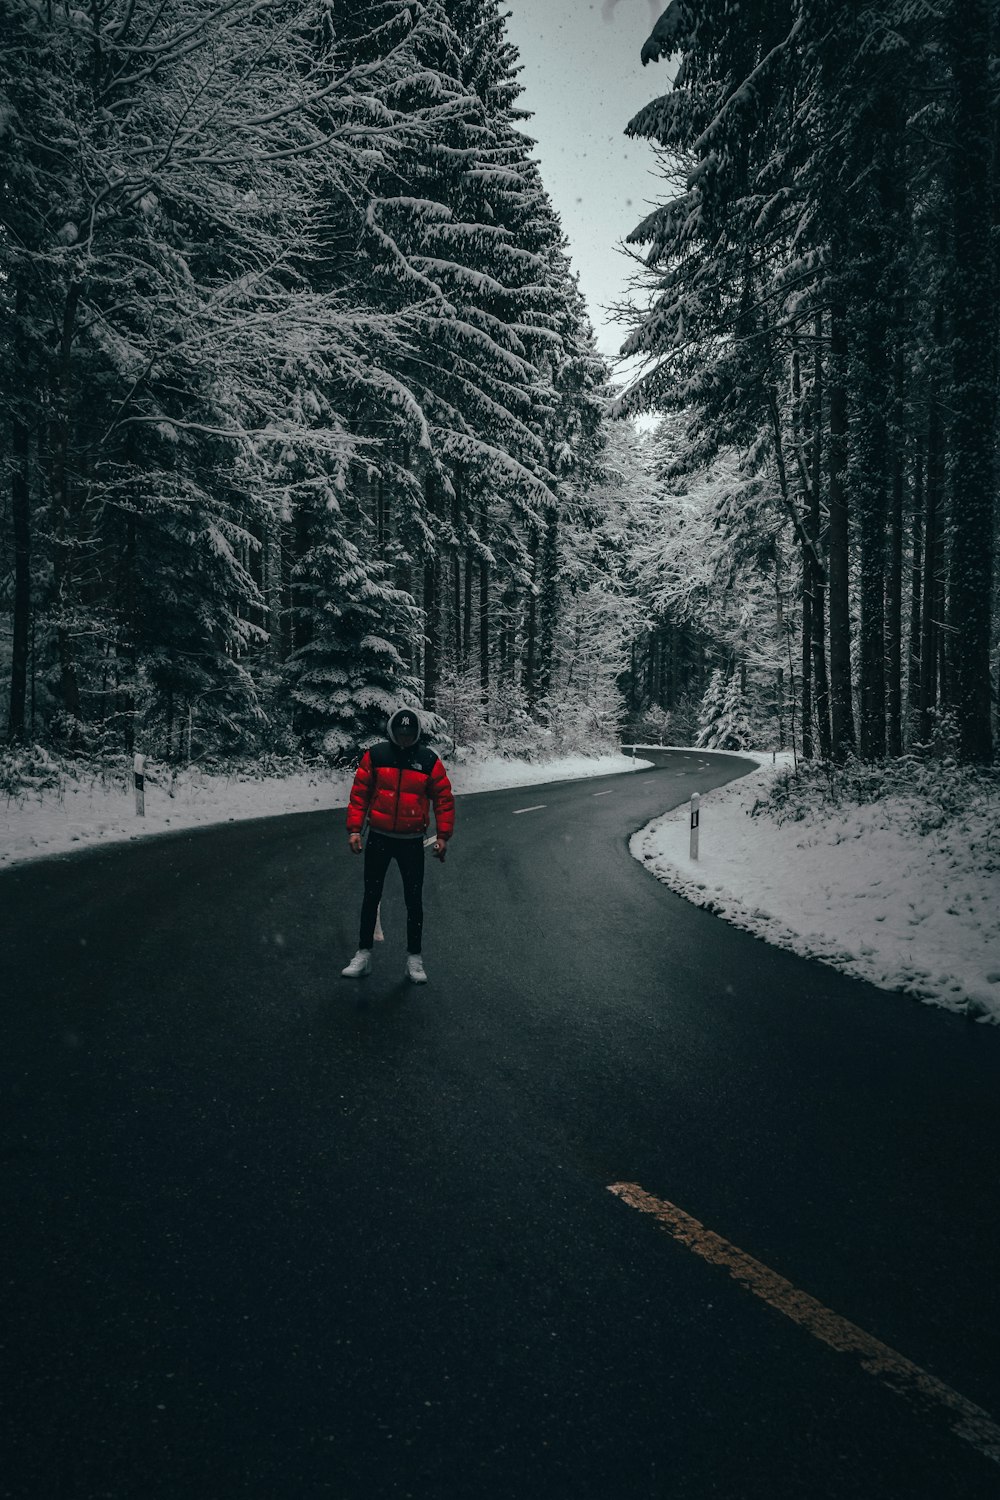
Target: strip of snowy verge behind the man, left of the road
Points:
x,y
101,814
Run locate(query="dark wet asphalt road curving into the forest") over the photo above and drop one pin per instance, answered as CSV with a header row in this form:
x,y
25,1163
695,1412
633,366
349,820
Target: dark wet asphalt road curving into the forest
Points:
x,y
275,1234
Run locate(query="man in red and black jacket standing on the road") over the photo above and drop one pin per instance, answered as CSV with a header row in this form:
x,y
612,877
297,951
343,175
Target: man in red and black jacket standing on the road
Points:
x,y
394,790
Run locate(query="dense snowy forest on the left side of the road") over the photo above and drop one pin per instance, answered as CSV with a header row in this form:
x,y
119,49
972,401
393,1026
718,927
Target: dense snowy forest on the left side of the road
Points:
x,y
302,404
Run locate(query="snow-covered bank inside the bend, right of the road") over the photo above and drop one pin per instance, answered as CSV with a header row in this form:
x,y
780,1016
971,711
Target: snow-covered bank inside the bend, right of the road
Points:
x,y
860,890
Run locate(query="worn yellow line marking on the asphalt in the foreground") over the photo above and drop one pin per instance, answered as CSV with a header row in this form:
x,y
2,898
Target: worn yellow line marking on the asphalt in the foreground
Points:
x,y
894,1370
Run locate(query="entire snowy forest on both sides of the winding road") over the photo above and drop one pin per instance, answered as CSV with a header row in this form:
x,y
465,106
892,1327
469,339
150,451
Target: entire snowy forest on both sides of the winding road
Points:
x,y
304,416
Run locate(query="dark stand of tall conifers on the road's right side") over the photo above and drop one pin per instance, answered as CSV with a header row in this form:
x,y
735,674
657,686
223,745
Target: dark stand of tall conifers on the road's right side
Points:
x,y
824,319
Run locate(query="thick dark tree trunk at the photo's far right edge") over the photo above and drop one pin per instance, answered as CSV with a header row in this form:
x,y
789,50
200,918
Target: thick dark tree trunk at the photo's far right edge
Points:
x,y
974,437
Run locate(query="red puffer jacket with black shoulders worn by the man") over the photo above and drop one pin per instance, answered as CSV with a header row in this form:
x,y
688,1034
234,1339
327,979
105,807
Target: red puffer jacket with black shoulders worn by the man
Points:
x,y
395,790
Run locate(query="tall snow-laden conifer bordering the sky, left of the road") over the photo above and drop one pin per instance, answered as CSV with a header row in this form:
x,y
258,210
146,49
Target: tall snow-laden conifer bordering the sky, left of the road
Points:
x,y
472,241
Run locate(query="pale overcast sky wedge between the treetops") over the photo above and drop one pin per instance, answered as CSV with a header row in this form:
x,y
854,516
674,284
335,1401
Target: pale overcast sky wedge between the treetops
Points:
x,y
584,82
